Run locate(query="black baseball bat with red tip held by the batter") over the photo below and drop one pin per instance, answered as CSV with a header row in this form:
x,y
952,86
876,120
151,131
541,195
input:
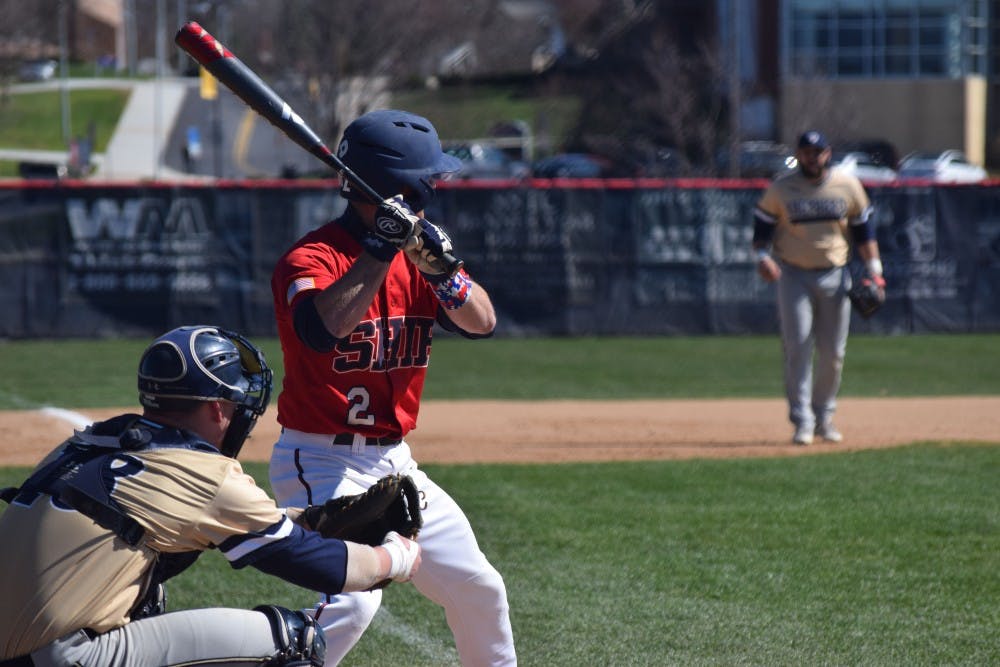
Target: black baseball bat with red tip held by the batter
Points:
x,y
235,75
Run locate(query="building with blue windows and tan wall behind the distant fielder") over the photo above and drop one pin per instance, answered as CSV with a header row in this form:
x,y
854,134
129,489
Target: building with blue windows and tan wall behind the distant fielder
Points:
x,y
916,73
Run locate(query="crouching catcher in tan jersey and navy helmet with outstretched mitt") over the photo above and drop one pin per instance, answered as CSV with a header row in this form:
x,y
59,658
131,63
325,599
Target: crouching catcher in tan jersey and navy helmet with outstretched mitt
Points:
x,y
127,503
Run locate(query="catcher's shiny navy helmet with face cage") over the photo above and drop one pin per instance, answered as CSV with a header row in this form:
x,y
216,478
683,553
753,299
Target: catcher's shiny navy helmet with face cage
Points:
x,y
205,363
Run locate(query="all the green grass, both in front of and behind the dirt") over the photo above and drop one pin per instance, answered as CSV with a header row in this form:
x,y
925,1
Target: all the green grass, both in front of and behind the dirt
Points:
x,y
881,557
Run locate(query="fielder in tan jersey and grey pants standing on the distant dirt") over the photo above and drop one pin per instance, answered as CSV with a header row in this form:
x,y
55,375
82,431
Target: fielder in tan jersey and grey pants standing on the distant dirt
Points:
x,y
804,225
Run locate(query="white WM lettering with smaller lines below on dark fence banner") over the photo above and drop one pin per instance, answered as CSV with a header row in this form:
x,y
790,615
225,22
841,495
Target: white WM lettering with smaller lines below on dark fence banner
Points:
x,y
139,245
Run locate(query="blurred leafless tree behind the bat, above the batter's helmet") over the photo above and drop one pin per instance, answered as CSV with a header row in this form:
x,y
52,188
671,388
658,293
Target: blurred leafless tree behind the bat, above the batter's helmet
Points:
x,y
340,57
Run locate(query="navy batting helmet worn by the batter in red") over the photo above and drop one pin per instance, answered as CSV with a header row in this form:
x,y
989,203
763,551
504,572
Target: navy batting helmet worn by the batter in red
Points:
x,y
394,150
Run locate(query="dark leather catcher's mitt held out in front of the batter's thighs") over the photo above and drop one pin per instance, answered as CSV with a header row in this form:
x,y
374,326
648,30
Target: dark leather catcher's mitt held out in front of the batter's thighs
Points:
x,y
392,503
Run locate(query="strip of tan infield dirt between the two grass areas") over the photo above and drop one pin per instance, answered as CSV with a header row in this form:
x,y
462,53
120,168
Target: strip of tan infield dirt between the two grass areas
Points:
x,y
562,431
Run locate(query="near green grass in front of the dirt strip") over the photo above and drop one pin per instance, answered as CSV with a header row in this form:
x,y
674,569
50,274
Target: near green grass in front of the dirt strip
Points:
x,y
884,557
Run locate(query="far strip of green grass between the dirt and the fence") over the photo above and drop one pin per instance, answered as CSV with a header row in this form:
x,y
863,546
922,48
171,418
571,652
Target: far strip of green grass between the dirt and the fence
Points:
x,y
84,374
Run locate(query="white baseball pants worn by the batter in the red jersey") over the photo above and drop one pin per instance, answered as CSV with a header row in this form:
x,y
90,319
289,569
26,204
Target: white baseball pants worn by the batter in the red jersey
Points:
x,y
307,469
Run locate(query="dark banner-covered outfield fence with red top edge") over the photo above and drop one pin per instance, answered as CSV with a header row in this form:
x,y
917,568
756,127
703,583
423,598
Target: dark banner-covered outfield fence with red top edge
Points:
x,y
578,257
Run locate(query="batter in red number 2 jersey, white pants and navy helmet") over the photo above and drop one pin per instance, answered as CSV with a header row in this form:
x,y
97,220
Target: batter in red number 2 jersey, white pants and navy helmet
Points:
x,y
356,302
